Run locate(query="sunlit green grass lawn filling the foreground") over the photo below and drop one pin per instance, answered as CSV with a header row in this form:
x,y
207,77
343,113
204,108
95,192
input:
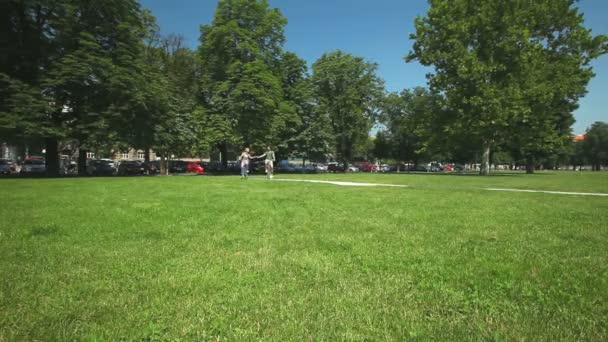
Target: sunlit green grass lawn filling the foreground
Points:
x,y
206,258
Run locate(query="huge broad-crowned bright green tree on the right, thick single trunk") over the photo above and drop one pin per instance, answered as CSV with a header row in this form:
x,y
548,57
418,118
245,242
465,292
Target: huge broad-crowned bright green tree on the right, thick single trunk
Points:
x,y
509,69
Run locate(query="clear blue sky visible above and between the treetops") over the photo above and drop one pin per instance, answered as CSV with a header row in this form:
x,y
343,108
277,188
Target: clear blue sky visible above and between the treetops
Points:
x,y
377,30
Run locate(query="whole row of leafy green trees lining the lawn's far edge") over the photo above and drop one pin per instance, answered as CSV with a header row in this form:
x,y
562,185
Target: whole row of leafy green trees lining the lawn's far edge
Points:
x,y
97,73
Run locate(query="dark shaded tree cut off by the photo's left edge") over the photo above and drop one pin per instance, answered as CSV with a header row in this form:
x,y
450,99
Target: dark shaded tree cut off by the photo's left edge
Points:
x,y
27,47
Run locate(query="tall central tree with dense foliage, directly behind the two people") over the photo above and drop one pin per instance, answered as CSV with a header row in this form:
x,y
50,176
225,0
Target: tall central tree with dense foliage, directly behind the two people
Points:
x,y
241,85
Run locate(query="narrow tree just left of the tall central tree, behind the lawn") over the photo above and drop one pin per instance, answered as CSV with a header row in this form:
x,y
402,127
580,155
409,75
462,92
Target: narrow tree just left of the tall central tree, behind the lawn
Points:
x,y
168,117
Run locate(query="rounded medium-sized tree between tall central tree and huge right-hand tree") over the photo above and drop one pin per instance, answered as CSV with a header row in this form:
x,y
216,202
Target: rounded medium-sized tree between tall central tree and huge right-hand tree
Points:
x,y
348,91
